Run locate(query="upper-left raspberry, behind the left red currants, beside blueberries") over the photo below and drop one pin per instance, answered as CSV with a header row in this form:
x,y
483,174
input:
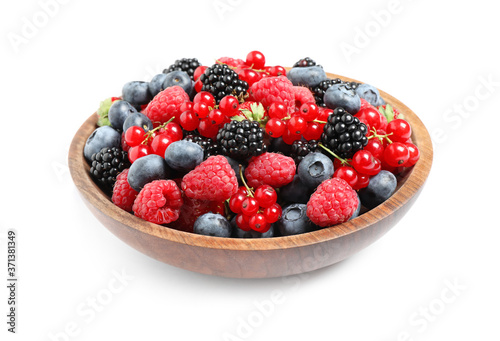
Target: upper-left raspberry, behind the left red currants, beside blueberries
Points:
x,y
166,105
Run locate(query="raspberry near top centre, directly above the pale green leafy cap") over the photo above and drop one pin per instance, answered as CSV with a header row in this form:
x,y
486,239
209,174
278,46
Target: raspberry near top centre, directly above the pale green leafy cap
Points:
x,y
271,90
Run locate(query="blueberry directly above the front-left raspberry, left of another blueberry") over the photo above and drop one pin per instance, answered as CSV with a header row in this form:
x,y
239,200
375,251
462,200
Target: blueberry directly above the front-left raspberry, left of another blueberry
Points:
x,y
146,169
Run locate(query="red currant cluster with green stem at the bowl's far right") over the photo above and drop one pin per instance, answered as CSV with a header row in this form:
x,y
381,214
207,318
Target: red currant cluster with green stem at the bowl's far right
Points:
x,y
389,148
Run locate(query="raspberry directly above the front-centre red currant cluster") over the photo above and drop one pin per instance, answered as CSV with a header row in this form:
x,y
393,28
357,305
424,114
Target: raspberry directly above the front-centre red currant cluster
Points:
x,y
275,170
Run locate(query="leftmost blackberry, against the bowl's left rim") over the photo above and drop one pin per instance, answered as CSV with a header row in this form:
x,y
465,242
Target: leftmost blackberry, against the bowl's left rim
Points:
x,y
107,164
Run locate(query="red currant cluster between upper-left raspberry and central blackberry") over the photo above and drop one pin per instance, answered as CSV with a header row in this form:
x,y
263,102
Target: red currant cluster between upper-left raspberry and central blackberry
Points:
x,y
205,116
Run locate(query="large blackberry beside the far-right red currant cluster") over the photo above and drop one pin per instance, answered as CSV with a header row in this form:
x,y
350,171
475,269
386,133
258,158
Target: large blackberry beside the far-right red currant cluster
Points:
x,y
344,134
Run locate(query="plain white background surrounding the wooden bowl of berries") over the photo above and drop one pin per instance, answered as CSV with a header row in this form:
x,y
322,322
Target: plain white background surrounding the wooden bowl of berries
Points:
x,y
432,56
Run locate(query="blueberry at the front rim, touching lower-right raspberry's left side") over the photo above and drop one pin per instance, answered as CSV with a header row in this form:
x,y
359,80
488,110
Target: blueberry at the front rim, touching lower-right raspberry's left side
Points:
x,y
294,220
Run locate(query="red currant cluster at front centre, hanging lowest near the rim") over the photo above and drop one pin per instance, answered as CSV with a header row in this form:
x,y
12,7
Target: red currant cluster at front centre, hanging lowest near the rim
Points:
x,y
255,210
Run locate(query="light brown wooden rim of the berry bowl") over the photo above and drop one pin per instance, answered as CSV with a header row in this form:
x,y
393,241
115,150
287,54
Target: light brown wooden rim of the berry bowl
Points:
x,y
415,180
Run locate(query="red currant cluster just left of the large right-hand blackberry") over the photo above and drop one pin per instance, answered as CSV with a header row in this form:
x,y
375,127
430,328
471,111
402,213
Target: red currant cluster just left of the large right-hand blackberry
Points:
x,y
307,122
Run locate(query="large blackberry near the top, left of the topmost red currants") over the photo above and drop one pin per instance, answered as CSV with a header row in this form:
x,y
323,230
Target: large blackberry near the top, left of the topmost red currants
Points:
x,y
221,81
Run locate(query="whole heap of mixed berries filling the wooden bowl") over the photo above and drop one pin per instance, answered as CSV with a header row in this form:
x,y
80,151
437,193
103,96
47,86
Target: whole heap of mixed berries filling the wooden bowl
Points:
x,y
242,149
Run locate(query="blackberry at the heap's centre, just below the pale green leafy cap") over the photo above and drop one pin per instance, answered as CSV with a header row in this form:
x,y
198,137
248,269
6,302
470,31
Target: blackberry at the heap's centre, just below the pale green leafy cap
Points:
x,y
241,139
